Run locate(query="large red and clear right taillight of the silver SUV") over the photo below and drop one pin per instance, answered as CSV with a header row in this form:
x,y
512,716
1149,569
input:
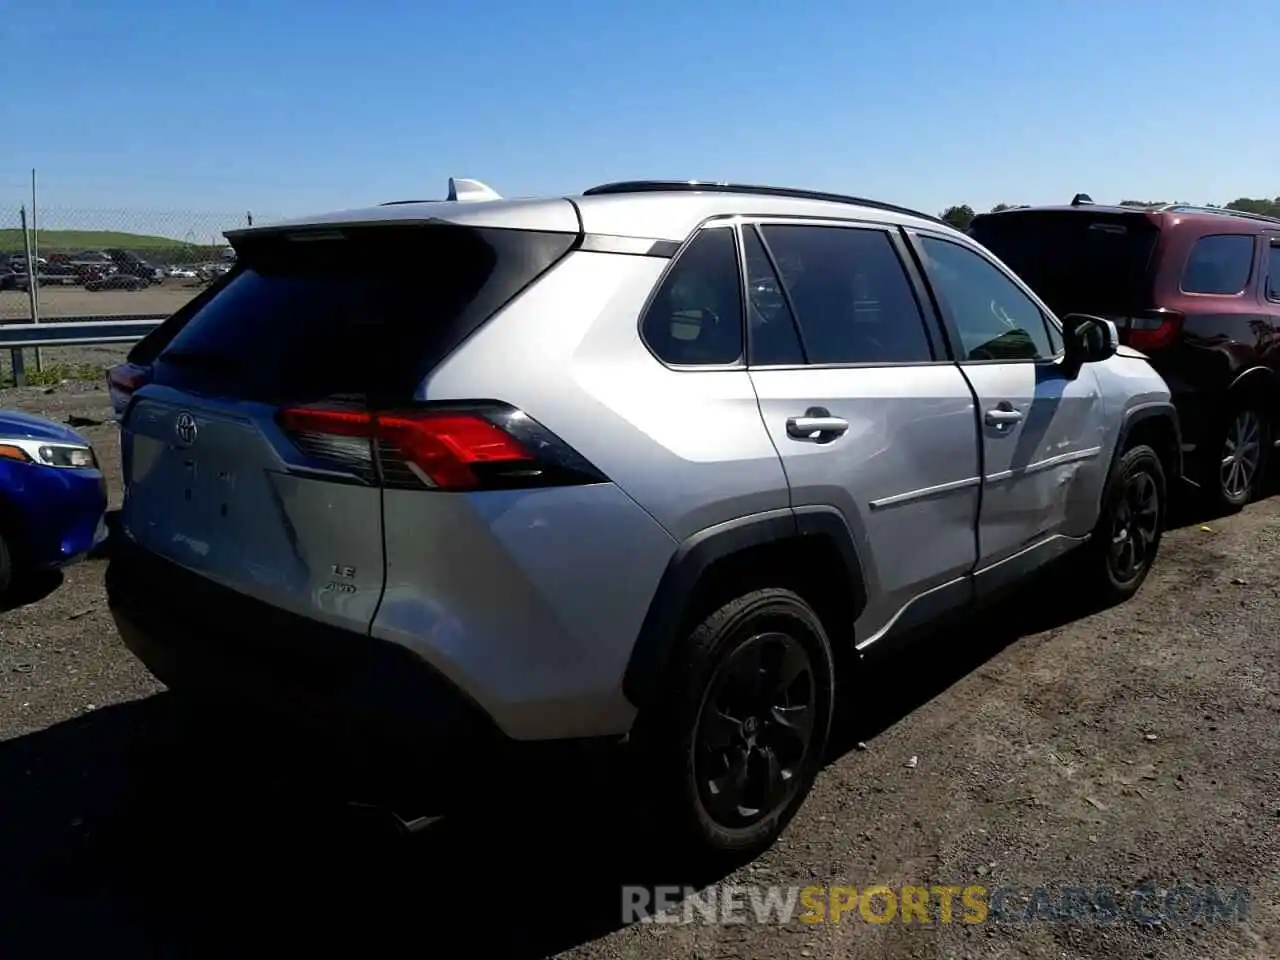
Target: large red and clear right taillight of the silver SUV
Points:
x,y
472,447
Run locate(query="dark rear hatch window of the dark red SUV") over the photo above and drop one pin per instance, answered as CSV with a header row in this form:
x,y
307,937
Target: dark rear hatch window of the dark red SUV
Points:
x,y
1077,262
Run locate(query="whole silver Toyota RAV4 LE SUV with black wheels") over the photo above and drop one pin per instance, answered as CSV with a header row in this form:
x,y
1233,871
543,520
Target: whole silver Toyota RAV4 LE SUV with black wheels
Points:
x,y
651,467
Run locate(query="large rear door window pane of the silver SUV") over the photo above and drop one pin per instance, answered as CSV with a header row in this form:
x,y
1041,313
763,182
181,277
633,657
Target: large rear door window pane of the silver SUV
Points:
x,y
851,295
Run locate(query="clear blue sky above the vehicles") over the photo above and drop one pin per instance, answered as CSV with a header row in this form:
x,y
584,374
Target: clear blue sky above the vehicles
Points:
x,y
290,107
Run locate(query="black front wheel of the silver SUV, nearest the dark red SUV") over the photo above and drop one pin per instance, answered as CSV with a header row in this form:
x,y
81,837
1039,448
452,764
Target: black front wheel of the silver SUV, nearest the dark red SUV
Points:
x,y
1131,525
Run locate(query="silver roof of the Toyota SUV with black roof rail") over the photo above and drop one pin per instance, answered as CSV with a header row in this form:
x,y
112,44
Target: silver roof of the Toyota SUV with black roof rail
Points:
x,y
662,211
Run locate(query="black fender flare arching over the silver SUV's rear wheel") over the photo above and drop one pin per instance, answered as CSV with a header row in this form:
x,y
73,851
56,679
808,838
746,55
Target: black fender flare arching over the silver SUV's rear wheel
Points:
x,y
660,633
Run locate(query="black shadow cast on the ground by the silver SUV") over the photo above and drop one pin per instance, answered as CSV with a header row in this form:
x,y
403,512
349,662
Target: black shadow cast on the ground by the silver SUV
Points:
x,y
125,831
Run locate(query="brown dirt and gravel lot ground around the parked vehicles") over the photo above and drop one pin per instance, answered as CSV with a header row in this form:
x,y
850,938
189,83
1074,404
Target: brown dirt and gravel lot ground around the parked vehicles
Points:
x,y
1054,747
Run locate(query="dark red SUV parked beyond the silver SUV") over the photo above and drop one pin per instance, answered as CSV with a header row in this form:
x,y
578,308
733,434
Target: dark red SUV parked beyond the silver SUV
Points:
x,y
1195,289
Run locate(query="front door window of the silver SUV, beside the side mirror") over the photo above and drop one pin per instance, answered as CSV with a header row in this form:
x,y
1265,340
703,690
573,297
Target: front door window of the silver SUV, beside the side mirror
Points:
x,y
994,318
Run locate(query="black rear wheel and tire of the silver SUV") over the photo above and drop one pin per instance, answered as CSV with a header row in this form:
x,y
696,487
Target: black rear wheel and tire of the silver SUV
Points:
x,y
743,725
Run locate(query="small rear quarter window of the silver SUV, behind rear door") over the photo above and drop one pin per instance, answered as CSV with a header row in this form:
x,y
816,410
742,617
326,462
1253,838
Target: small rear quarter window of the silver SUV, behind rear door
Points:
x,y
697,314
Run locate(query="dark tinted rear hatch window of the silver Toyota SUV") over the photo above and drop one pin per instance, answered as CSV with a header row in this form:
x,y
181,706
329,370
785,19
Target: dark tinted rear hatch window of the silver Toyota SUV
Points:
x,y
364,312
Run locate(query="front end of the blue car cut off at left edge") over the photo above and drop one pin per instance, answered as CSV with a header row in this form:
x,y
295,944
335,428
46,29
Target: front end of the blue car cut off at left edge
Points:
x,y
53,497
